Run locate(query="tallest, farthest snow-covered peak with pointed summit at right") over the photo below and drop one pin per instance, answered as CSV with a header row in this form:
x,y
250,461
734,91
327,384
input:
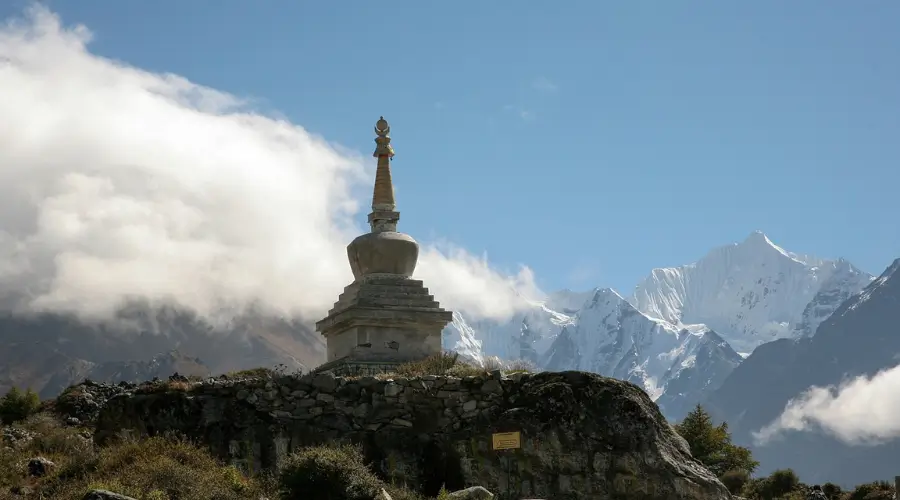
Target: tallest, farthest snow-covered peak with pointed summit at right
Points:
x,y
750,292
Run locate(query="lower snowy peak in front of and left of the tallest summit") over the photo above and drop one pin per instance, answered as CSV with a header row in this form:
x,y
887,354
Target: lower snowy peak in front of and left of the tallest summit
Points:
x,y
611,337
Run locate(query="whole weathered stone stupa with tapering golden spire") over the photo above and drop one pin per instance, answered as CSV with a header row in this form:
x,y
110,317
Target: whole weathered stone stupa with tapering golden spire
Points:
x,y
384,317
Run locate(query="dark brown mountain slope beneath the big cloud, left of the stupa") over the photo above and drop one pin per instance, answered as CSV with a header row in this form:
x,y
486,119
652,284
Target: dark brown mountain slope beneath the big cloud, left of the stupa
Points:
x,y
47,352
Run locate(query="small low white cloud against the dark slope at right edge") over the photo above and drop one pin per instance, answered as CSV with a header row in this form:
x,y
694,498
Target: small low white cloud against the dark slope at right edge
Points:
x,y
860,411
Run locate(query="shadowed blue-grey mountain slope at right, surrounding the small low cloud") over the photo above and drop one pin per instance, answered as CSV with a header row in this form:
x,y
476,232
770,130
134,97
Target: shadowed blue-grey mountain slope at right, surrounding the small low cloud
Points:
x,y
861,338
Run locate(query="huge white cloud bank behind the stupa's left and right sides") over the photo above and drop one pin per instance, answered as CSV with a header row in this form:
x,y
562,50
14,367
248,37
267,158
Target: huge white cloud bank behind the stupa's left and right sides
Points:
x,y
118,183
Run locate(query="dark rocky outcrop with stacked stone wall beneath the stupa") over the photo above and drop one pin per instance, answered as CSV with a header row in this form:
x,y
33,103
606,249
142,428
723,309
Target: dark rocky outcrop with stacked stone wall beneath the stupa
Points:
x,y
582,435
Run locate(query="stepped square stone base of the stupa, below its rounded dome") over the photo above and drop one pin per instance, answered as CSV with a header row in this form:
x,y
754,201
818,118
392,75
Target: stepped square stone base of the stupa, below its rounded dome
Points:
x,y
383,319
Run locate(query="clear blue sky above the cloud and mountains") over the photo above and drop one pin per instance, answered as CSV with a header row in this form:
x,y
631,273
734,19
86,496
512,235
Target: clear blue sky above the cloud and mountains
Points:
x,y
590,140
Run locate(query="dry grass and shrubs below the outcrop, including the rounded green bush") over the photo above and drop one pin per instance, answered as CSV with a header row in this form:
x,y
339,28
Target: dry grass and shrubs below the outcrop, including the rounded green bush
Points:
x,y
168,468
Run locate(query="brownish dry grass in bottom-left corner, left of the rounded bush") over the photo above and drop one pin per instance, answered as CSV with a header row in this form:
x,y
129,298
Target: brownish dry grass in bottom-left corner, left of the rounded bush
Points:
x,y
156,468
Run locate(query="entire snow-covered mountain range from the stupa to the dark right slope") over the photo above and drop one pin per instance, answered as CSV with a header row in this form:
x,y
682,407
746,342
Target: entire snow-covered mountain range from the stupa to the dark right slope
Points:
x,y
677,336
